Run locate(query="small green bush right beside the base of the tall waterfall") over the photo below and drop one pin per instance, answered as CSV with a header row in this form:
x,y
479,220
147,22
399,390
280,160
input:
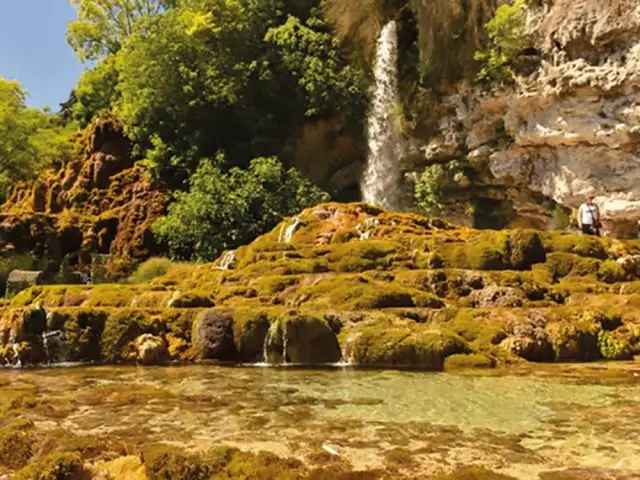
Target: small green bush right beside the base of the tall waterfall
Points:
x,y
430,188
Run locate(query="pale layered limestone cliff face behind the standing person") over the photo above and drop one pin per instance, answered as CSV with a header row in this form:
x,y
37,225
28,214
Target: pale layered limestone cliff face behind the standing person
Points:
x,y
569,129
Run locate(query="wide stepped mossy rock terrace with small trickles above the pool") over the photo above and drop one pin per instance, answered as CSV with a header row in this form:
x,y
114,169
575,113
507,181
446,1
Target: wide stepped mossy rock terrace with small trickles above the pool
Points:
x,y
354,283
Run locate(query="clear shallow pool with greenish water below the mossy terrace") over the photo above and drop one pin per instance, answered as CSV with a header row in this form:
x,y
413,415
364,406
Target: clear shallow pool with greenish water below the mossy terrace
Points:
x,y
521,425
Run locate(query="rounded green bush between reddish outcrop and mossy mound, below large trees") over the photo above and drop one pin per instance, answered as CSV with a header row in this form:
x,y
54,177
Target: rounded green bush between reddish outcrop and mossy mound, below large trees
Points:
x,y
224,210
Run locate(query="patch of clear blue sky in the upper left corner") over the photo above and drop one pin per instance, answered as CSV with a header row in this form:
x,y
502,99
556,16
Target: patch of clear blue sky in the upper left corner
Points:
x,y
34,51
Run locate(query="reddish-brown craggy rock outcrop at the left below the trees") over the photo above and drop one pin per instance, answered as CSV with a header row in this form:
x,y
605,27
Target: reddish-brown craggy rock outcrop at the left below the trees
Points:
x,y
102,204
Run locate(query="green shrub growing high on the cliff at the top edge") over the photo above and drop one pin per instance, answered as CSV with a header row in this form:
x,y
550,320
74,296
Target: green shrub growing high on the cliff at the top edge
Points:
x,y
507,34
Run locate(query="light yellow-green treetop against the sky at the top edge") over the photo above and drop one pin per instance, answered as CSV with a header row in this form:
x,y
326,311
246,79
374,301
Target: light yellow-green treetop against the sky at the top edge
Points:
x,y
103,26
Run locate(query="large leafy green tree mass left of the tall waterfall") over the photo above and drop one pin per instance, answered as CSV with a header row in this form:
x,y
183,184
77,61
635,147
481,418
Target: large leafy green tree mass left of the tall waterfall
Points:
x,y
237,76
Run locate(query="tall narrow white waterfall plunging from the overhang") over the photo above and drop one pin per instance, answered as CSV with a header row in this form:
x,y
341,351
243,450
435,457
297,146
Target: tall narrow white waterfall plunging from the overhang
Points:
x,y
381,180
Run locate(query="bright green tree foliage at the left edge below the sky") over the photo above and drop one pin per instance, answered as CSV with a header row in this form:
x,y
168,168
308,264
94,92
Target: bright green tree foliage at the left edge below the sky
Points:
x,y
30,140
